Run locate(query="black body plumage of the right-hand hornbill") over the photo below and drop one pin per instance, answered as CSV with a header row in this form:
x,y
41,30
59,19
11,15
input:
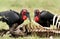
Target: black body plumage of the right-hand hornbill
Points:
x,y
45,18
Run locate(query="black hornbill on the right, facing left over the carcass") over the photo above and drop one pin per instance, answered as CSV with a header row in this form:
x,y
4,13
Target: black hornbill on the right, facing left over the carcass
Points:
x,y
45,18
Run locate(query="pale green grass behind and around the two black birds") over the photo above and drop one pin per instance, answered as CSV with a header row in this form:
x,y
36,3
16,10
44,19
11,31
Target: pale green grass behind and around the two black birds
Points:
x,y
50,5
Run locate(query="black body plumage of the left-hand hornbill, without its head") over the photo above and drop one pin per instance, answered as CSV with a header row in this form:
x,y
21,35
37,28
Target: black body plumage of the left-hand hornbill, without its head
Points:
x,y
11,17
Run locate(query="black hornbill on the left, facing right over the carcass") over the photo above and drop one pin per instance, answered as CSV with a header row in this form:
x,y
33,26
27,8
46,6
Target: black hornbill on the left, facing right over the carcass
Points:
x,y
13,18
